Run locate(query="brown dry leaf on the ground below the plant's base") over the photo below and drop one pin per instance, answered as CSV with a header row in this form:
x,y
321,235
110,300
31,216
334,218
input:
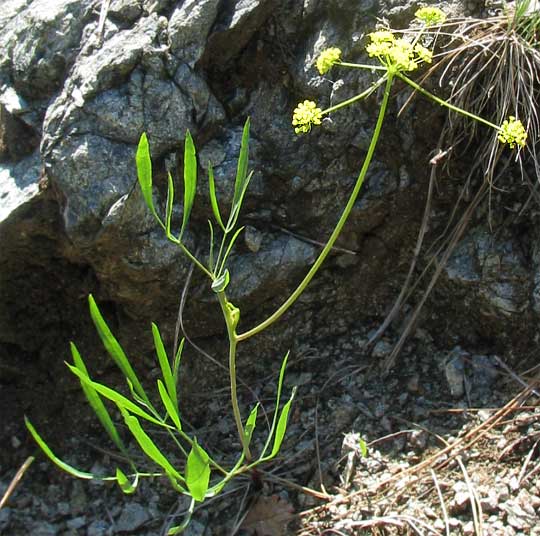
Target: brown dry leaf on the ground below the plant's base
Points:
x,y
269,516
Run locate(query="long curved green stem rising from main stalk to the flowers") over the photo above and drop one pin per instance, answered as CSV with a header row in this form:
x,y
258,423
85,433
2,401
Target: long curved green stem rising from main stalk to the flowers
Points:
x,y
337,231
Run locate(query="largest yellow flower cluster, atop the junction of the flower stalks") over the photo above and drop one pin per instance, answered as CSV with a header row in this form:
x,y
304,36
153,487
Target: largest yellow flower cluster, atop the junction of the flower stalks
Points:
x,y
397,53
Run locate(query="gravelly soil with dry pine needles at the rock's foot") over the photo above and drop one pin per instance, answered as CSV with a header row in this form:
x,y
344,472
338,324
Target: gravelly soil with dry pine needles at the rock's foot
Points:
x,y
364,453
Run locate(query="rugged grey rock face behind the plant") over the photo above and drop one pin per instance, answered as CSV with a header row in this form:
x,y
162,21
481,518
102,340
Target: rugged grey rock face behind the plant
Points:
x,y
75,95
